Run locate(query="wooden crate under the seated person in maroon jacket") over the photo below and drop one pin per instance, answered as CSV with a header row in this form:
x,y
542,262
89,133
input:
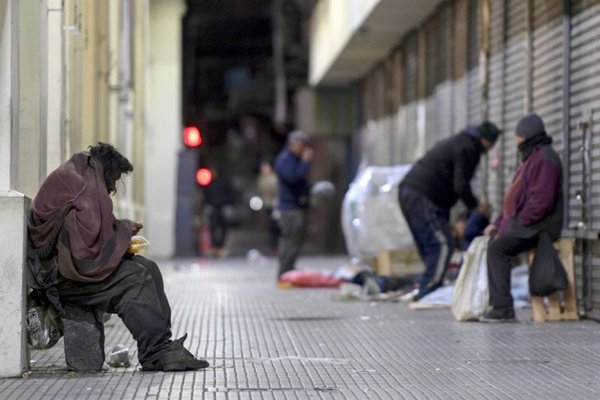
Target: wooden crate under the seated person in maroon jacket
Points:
x,y
551,308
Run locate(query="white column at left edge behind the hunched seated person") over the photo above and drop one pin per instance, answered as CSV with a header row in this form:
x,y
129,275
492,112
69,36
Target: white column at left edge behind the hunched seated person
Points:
x,y
13,205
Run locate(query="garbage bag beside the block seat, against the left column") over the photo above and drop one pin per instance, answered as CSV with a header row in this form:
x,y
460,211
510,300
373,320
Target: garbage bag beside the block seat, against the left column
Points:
x,y
43,324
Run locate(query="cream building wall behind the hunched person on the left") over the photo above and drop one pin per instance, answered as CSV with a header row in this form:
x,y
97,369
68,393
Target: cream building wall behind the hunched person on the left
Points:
x,y
78,75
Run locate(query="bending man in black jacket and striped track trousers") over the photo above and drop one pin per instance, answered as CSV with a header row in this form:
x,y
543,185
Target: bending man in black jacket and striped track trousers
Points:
x,y
432,186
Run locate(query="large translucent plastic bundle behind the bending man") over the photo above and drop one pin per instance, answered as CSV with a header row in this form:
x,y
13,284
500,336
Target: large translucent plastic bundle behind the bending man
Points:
x,y
371,217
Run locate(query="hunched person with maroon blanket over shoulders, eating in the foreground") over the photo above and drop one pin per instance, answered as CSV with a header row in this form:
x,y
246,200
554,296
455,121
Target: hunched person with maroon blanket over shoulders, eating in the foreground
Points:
x,y
78,254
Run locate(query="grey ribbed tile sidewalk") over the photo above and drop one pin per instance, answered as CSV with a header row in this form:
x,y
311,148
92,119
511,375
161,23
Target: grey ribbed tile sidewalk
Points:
x,y
265,343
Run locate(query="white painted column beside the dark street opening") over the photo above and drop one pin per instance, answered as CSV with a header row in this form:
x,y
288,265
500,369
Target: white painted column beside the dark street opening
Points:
x,y
163,116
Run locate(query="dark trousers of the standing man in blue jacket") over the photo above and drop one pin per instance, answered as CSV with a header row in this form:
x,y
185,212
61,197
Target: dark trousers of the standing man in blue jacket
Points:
x,y
293,224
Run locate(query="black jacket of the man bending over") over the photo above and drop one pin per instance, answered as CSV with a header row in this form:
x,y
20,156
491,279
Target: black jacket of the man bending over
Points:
x,y
444,173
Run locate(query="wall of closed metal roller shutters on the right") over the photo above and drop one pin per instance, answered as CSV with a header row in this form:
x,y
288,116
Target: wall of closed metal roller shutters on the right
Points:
x,y
480,59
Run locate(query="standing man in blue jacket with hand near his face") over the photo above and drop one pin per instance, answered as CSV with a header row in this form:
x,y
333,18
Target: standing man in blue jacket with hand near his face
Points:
x,y
292,166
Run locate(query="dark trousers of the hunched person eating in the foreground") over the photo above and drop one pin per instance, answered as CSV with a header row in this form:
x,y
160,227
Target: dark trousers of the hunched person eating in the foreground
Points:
x,y
134,292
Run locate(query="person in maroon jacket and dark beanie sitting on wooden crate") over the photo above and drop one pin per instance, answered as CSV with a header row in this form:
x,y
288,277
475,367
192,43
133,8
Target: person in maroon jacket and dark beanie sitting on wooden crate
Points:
x,y
533,204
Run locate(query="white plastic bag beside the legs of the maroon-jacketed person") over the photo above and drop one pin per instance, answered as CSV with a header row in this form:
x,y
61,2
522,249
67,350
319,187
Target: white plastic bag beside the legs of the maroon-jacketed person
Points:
x,y
470,299
